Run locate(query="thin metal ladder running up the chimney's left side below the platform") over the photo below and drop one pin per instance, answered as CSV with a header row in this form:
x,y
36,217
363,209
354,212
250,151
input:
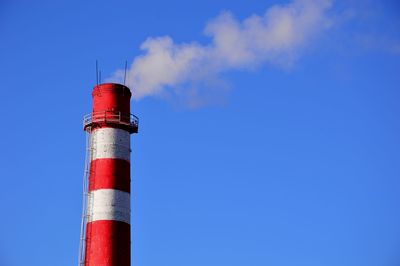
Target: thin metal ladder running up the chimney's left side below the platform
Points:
x,y
85,199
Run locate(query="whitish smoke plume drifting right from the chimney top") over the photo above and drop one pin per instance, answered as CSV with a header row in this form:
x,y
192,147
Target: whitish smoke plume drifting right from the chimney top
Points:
x,y
276,37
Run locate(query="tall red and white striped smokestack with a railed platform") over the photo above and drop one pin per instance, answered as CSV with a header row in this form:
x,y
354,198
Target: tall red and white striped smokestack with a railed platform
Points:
x,y
105,232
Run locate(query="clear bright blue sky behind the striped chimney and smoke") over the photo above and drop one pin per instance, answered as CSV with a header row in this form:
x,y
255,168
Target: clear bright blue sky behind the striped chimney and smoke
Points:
x,y
282,160
